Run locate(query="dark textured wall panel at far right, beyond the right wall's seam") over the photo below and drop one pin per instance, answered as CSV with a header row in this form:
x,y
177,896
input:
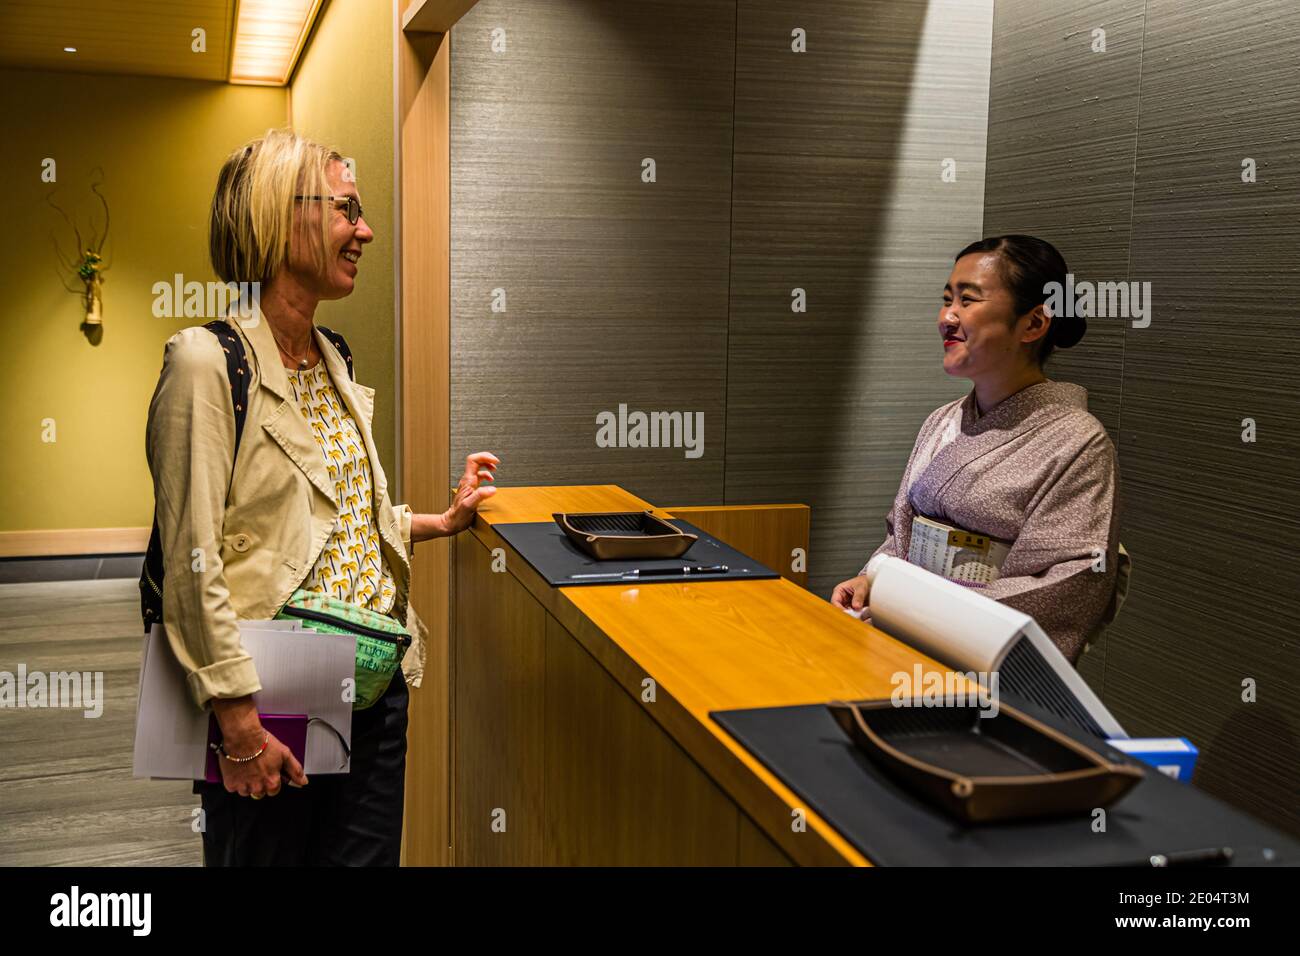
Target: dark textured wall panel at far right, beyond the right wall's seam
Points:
x,y
1215,521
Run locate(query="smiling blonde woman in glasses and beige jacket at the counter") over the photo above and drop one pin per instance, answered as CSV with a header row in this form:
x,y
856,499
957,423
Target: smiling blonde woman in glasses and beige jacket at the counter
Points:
x,y
305,509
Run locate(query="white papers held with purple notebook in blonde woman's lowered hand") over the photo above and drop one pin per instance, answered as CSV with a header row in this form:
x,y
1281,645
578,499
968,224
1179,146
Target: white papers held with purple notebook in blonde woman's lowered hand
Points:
x,y
302,672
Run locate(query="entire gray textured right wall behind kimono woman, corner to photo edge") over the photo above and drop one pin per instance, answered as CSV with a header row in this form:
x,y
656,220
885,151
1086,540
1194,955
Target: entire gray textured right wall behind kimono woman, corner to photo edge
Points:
x,y
1132,159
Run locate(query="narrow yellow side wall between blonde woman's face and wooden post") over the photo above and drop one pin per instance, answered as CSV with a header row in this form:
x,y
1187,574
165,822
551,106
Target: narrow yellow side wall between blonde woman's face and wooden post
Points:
x,y
343,96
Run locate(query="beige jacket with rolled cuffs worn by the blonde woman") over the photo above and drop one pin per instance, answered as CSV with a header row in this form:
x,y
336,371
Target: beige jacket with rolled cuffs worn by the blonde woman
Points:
x,y
237,547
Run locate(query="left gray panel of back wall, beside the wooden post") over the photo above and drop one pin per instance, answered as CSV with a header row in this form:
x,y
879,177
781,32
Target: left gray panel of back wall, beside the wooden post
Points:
x,y
616,289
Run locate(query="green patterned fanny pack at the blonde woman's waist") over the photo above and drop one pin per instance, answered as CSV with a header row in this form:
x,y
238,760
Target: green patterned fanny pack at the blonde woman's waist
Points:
x,y
382,642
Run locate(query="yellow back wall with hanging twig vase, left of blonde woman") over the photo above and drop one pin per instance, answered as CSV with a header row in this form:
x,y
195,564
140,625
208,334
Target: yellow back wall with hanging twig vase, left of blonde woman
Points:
x,y
161,144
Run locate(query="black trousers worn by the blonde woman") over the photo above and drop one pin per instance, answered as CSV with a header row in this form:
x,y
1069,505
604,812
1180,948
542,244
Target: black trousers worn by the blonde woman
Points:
x,y
337,820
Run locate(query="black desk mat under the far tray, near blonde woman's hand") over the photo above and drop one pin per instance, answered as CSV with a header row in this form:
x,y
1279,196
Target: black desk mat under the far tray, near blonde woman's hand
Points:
x,y
554,557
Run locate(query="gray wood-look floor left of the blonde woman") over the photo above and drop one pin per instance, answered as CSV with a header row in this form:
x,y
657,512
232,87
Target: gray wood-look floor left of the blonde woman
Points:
x,y
67,793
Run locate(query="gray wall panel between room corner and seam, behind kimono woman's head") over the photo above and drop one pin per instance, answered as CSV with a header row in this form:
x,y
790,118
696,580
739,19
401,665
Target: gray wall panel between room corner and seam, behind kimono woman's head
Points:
x,y
1061,114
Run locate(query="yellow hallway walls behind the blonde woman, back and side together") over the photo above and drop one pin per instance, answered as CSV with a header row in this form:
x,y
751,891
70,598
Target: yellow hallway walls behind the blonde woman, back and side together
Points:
x,y
161,144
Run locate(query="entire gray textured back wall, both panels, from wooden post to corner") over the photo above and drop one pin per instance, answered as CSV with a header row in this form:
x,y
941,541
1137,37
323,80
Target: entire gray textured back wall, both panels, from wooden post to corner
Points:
x,y
673,296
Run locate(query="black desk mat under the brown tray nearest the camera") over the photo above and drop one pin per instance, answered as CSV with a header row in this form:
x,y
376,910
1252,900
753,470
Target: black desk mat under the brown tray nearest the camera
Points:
x,y
808,751
